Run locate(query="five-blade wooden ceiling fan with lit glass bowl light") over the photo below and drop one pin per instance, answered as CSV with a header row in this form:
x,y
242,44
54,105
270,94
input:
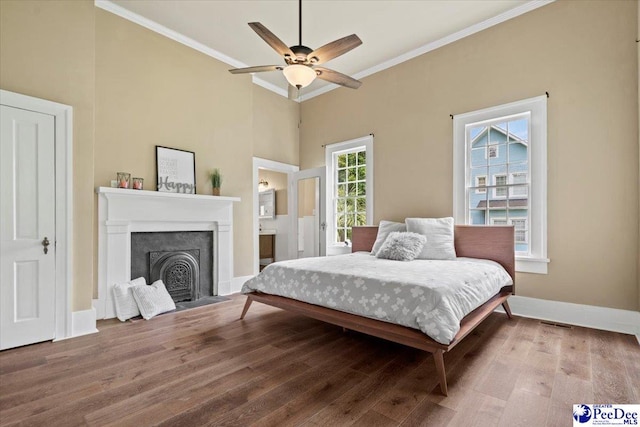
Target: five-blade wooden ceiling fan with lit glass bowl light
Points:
x,y
302,61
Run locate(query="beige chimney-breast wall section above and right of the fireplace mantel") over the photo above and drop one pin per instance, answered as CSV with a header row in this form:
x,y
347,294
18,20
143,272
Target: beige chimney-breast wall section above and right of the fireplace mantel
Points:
x,y
151,90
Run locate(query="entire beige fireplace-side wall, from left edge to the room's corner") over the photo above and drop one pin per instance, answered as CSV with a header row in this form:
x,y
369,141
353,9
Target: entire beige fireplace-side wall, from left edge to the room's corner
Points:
x,y
145,90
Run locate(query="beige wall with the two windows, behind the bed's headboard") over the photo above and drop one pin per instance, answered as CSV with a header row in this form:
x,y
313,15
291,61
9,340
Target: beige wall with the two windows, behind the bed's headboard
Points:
x,y
584,54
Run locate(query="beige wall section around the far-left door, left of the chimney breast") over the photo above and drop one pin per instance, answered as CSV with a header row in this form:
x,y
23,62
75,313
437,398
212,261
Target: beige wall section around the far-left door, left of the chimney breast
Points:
x,y
47,51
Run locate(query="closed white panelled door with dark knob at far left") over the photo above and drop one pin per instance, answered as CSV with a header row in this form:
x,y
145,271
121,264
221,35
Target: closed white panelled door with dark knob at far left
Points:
x,y
27,227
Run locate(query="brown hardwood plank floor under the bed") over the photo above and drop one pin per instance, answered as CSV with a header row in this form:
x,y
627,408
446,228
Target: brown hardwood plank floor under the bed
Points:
x,y
205,367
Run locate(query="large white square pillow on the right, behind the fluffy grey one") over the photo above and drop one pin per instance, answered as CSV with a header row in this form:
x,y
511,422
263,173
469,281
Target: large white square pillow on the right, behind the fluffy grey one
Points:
x,y
439,234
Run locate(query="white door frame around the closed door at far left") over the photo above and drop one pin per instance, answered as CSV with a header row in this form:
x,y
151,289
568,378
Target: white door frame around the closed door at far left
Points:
x,y
63,117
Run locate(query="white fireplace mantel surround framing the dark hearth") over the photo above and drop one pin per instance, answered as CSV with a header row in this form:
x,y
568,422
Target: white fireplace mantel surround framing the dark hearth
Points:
x,y
122,212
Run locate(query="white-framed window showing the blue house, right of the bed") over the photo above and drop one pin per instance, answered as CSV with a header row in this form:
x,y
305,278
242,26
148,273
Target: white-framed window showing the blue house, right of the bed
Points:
x,y
508,144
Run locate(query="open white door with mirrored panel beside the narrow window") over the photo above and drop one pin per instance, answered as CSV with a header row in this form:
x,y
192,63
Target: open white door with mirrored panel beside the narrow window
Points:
x,y
308,189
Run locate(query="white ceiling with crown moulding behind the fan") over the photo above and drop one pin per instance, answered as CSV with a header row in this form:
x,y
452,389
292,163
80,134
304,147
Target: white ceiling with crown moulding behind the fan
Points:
x,y
391,31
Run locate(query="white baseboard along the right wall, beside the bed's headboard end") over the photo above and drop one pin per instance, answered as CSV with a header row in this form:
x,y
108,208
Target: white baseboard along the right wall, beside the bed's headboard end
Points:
x,y
608,319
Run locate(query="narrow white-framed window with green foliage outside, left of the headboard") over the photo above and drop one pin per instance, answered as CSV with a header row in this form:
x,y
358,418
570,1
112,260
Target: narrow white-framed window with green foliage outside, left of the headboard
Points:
x,y
350,187
